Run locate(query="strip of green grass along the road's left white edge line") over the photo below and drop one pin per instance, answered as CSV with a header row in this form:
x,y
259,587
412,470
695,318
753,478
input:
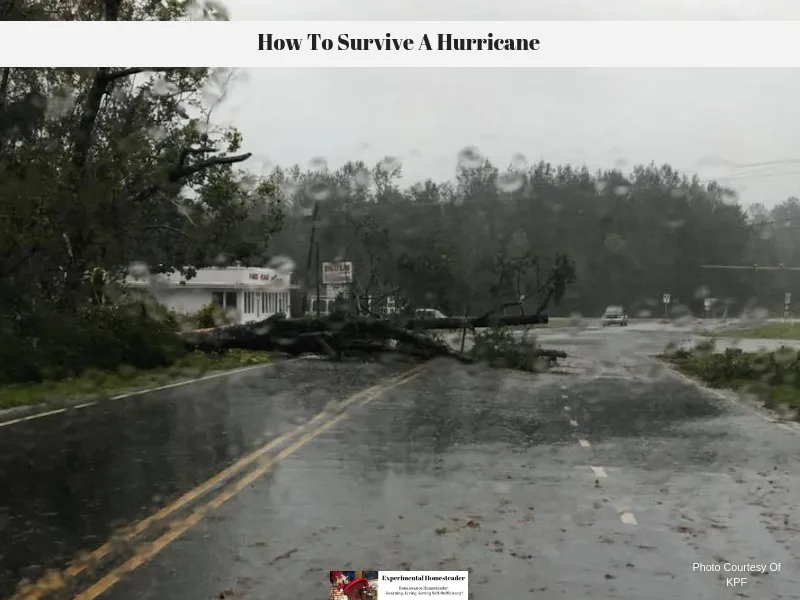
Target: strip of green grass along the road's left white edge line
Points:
x,y
102,384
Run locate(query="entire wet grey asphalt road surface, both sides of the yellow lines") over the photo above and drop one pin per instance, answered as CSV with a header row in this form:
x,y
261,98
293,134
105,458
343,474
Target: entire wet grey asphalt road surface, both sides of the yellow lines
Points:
x,y
609,480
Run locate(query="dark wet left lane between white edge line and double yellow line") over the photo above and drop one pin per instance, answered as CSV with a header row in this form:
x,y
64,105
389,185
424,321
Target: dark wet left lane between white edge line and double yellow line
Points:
x,y
70,480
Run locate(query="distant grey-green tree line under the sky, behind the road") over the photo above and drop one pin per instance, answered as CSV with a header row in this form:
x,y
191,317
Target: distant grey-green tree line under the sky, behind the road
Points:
x,y
493,235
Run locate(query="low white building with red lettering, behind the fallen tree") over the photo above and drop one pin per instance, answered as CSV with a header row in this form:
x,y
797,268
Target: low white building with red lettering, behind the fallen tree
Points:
x,y
246,293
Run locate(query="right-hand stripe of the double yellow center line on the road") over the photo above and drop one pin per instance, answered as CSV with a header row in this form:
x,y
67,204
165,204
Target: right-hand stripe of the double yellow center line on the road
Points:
x,y
147,551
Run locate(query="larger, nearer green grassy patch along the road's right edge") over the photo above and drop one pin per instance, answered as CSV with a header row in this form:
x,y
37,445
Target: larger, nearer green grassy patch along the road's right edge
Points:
x,y
773,377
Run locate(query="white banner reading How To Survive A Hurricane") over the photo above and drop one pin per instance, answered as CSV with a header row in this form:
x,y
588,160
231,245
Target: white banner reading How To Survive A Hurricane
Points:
x,y
400,43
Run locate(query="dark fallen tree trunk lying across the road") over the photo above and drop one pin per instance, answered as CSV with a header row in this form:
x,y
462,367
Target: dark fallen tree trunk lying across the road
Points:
x,y
341,333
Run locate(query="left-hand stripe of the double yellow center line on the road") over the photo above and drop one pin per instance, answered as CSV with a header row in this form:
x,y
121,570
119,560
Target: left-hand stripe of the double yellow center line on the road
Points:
x,y
54,581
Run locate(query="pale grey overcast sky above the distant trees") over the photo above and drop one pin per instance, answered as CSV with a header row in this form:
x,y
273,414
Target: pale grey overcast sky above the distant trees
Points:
x,y
721,124
